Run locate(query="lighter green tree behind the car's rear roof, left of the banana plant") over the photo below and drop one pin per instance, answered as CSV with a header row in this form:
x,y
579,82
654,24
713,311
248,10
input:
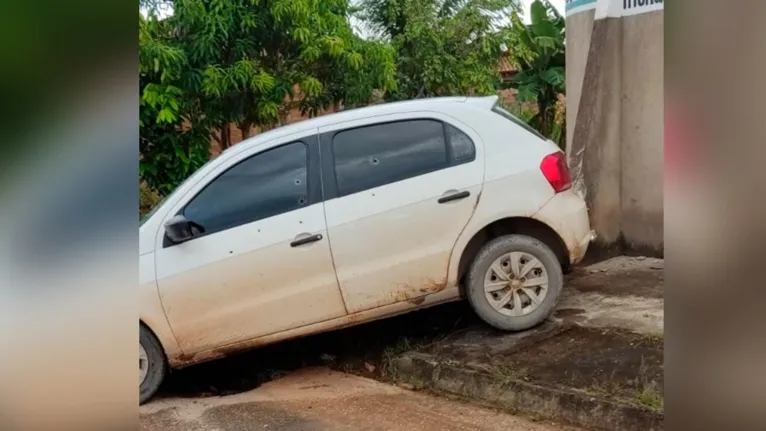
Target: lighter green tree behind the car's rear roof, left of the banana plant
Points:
x,y
443,47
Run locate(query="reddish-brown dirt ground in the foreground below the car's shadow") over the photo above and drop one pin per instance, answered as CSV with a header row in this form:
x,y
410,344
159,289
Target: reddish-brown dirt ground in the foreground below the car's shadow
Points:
x,y
320,399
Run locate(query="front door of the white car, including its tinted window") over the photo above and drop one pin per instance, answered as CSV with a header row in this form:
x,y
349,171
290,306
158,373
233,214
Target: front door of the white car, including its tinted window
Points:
x,y
263,264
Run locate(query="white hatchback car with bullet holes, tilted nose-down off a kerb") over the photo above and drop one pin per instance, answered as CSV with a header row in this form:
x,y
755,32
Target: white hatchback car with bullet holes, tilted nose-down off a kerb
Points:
x,y
353,217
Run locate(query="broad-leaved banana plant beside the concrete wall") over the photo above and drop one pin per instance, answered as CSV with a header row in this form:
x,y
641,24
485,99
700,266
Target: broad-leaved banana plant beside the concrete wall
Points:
x,y
538,51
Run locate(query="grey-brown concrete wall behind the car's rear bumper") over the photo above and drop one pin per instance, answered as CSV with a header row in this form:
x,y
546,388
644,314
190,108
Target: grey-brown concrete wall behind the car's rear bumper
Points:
x,y
615,113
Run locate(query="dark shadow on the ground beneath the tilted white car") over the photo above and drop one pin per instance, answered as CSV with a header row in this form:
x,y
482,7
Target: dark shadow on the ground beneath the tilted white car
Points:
x,y
359,350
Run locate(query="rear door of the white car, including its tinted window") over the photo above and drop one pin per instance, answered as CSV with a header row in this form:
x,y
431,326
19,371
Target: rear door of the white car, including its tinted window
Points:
x,y
399,190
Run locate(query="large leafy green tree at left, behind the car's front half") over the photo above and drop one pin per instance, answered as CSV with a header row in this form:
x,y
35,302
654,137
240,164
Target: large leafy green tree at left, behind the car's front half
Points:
x,y
213,63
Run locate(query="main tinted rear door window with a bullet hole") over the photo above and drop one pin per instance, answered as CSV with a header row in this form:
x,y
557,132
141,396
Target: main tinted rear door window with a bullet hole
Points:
x,y
371,156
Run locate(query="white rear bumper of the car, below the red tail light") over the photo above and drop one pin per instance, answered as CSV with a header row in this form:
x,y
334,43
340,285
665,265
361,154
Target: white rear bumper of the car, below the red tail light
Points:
x,y
567,214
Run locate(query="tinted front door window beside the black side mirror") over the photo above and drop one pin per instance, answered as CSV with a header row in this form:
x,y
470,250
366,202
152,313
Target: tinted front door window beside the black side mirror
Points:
x,y
262,186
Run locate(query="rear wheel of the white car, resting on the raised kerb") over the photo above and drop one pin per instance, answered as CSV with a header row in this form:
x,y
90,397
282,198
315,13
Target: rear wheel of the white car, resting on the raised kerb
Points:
x,y
524,248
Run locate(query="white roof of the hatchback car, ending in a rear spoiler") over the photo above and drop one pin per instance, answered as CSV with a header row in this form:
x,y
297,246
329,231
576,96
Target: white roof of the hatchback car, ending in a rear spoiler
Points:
x,y
357,113
